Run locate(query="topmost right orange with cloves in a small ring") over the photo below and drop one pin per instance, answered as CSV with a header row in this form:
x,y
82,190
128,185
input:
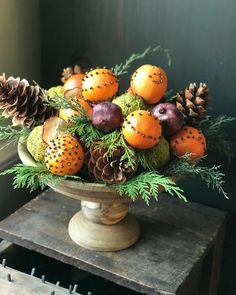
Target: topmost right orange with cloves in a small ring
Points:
x,y
149,82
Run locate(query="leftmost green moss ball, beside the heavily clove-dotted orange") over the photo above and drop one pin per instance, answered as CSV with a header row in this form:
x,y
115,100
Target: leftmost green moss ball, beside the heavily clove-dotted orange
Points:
x,y
35,144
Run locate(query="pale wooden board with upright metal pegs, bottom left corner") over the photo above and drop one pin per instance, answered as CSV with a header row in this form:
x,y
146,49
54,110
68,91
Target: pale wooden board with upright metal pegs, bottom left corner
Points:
x,y
13,282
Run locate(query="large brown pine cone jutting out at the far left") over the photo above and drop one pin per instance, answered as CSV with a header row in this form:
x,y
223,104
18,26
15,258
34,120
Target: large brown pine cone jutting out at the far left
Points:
x,y
22,101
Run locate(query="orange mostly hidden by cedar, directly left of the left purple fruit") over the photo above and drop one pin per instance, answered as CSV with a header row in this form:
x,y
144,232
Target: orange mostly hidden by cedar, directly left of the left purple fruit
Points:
x,y
68,114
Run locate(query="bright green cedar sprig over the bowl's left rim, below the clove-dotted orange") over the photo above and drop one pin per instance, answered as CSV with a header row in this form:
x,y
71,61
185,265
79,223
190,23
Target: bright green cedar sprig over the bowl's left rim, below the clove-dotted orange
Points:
x,y
34,177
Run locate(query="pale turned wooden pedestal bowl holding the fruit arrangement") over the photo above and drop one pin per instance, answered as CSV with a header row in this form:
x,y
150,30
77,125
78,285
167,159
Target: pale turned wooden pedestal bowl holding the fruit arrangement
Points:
x,y
103,224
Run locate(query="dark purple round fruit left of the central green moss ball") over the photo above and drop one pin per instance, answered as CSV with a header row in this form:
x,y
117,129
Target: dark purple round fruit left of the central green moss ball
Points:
x,y
107,116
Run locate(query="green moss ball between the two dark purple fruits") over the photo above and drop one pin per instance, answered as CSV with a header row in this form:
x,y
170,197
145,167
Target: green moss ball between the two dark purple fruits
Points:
x,y
129,103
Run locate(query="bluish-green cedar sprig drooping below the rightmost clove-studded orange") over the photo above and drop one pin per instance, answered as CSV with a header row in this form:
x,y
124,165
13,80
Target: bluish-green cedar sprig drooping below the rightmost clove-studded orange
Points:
x,y
212,176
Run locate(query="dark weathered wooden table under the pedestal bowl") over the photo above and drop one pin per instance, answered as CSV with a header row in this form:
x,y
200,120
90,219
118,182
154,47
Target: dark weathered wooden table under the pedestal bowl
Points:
x,y
179,251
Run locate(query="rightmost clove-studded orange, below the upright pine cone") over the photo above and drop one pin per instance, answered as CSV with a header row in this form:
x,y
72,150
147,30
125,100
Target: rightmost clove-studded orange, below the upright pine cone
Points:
x,y
190,141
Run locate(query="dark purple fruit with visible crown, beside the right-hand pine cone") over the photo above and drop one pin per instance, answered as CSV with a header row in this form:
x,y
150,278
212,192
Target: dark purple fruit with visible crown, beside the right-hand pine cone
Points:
x,y
171,118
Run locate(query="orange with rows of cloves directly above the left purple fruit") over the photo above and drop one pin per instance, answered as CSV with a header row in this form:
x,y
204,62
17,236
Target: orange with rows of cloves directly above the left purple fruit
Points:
x,y
99,85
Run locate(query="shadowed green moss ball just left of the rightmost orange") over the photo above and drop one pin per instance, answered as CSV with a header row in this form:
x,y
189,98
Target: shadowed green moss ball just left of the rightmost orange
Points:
x,y
162,153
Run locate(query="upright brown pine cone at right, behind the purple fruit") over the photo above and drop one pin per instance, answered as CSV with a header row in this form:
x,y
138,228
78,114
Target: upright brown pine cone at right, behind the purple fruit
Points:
x,y
193,103
